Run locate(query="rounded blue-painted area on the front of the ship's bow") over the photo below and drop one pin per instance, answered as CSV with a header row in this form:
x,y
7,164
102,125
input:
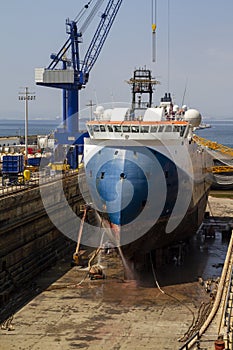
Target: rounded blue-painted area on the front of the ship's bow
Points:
x,y
121,184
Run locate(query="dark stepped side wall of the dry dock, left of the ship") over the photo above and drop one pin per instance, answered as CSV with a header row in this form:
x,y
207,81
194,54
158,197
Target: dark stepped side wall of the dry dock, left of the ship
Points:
x,y
29,242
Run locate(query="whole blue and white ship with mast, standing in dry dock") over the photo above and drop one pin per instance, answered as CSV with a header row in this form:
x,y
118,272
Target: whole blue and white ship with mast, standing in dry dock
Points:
x,y
146,175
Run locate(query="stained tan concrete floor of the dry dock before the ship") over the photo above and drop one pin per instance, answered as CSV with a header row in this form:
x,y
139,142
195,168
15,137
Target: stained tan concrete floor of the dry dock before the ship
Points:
x,y
103,314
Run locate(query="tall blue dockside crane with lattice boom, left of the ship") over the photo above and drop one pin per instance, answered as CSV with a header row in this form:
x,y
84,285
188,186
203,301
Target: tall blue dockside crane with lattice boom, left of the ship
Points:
x,y
74,72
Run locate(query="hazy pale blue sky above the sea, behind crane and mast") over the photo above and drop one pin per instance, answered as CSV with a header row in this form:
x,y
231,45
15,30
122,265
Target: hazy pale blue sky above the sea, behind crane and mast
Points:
x,y
201,53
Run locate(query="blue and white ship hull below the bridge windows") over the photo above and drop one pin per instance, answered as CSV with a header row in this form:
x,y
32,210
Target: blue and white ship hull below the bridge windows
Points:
x,y
149,197
